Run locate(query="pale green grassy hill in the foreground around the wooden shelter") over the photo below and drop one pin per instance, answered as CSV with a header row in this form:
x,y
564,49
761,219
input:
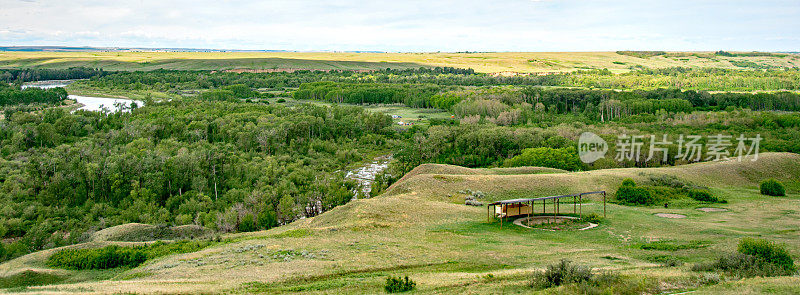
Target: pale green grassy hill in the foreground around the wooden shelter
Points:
x,y
421,228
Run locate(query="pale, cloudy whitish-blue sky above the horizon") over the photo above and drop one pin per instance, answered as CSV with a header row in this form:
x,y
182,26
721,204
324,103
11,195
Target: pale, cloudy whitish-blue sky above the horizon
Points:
x,y
406,25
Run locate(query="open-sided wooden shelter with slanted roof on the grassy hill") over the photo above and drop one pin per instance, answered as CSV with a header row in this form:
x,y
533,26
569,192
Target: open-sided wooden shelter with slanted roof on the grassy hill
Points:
x,y
518,207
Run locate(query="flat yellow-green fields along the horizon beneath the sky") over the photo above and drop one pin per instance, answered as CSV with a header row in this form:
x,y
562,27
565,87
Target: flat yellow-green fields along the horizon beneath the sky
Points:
x,y
511,62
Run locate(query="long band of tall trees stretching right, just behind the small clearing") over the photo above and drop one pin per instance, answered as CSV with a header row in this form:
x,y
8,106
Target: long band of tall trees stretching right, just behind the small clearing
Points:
x,y
500,101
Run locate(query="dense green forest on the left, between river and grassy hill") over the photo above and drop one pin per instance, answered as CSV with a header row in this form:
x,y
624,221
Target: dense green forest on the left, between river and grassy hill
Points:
x,y
215,164
